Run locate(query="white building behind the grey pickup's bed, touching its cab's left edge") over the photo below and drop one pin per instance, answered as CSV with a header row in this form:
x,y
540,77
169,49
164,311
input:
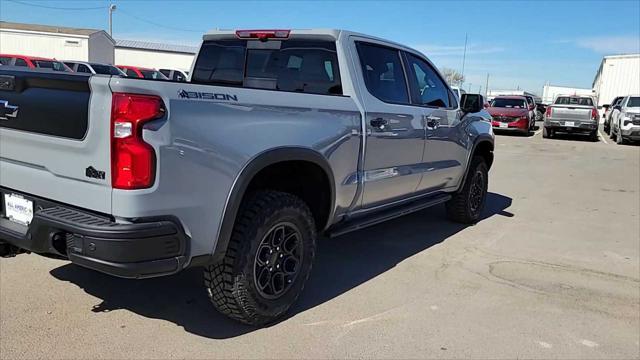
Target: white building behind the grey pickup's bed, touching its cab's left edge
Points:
x,y
154,55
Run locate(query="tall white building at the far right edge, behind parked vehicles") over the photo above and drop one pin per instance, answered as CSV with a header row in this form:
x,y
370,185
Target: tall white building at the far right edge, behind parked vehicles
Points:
x,y
618,75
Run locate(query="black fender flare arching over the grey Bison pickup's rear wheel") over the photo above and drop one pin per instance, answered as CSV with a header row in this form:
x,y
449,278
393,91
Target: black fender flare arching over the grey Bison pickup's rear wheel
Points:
x,y
248,172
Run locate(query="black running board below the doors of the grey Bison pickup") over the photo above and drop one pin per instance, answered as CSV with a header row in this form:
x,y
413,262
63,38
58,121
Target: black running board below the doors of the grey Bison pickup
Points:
x,y
369,220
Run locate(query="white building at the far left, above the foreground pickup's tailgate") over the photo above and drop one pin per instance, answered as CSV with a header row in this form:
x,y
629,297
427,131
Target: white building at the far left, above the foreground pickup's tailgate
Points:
x,y
62,43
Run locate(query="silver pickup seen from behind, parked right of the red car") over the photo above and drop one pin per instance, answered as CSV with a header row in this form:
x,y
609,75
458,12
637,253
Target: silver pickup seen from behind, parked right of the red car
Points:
x,y
571,114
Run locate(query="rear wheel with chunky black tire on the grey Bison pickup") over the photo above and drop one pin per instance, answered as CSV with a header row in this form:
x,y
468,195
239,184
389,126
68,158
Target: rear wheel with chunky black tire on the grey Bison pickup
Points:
x,y
268,259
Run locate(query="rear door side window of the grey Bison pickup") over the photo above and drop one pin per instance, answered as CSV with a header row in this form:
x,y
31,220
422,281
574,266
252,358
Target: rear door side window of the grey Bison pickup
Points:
x,y
383,74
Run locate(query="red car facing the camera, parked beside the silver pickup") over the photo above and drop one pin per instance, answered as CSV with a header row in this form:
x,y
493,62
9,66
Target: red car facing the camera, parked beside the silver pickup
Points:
x,y
511,113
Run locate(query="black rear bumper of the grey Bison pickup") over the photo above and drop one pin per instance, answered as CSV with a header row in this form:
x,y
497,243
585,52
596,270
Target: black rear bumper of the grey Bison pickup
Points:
x,y
145,248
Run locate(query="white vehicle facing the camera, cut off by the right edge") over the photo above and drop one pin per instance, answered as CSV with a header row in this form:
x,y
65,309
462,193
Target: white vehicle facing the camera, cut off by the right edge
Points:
x,y
625,120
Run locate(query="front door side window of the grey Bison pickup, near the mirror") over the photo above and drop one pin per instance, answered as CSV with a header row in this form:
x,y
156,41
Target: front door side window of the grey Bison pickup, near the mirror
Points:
x,y
426,86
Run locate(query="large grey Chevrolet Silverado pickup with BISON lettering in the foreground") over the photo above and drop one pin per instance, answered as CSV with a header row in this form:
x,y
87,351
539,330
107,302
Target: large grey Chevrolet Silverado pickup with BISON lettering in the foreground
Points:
x,y
278,137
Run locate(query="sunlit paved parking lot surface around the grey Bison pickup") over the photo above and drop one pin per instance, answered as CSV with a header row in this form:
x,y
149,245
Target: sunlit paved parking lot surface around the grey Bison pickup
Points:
x,y
552,271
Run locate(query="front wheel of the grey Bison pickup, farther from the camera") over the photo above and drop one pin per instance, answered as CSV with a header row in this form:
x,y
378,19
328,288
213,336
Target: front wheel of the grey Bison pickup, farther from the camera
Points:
x,y
459,207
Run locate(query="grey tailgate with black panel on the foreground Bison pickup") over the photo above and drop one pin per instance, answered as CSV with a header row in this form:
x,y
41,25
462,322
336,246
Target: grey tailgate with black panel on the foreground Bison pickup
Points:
x,y
55,137
